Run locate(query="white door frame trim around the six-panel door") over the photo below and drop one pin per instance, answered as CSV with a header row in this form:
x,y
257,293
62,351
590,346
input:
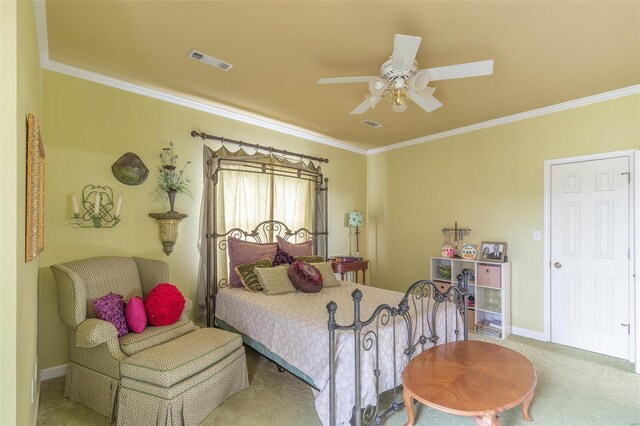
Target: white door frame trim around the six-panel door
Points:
x,y
634,206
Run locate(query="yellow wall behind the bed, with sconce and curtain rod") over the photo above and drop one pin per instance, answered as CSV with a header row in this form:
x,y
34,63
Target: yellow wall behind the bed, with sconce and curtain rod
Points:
x,y
89,126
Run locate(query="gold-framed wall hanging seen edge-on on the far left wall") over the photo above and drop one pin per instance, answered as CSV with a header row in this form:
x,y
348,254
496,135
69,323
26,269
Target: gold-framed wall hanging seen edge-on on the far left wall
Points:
x,y
34,243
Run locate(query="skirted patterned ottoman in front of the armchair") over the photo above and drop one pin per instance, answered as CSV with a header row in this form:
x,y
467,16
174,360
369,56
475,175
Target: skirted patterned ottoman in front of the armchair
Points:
x,y
180,382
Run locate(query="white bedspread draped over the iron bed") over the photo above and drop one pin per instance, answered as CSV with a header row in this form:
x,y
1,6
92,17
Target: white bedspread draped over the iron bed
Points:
x,y
294,326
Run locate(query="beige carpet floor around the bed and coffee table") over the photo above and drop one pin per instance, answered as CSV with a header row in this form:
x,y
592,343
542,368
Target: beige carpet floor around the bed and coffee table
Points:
x,y
574,388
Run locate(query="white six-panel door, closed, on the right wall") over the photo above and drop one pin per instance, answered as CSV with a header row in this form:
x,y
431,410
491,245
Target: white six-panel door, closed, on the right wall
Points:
x,y
590,241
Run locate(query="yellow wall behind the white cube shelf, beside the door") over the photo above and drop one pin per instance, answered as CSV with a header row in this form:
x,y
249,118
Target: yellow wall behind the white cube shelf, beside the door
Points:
x,y
489,180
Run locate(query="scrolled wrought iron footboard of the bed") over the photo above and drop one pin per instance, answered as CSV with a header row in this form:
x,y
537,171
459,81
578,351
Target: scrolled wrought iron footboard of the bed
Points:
x,y
419,312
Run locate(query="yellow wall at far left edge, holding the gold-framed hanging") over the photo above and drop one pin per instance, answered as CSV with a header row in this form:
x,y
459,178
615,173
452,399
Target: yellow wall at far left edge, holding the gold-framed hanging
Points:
x,y
21,94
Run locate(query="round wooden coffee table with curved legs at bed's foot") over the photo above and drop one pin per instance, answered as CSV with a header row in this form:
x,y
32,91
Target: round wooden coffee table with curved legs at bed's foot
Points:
x,y
469,378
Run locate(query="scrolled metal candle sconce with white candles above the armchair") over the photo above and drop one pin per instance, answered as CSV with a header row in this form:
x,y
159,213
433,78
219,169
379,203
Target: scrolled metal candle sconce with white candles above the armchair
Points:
x,y
98,207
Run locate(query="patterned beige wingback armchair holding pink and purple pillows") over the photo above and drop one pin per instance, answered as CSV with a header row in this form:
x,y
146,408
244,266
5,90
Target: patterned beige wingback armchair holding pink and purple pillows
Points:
x,y
95,351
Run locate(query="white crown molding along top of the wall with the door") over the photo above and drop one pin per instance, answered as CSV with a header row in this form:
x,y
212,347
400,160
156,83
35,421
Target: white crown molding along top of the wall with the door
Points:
x,y
577,103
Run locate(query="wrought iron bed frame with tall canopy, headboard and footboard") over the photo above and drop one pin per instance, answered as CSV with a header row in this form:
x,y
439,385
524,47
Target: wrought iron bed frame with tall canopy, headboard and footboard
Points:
x,y
415,317
